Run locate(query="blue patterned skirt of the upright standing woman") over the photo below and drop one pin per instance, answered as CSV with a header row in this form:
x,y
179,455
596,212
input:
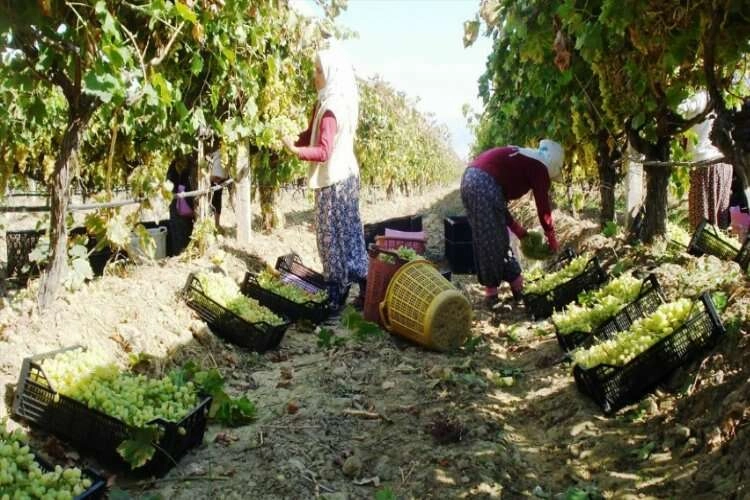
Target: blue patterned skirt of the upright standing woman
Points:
x,y
338,227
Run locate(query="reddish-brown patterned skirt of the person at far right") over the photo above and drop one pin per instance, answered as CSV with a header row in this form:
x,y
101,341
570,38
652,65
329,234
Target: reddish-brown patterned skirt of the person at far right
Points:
x,y
708,198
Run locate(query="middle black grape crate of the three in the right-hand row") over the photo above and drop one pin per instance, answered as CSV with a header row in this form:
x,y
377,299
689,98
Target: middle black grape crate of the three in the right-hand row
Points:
x,y
649,299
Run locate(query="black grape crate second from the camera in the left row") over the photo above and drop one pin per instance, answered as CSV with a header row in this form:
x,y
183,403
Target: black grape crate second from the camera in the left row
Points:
x,y
259,337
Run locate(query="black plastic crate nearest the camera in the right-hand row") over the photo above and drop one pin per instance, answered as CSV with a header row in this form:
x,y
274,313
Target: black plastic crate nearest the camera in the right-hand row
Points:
x,y
613,387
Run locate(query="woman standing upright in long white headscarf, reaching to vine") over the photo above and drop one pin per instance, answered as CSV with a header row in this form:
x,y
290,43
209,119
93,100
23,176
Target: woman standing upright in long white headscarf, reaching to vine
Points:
x,y
328,144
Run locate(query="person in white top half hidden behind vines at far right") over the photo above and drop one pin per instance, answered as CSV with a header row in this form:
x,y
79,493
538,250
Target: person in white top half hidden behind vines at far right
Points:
x,y
710,187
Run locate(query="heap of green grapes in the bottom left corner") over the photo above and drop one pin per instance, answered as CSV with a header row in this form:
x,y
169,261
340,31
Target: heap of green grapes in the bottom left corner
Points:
x,y
21,476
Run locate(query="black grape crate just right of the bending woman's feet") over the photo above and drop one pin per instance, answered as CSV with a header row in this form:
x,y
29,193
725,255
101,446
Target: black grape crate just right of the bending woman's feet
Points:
x,y
541,305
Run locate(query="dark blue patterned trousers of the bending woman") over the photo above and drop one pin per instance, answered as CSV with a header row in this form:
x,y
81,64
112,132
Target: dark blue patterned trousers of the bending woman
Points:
x,y
485,208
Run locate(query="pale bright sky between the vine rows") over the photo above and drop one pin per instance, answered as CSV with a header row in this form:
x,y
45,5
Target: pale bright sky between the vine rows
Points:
x,y
417,46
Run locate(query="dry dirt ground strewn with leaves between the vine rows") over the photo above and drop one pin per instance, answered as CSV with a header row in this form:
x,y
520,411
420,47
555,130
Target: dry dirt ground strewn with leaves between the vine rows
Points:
x,y
382,418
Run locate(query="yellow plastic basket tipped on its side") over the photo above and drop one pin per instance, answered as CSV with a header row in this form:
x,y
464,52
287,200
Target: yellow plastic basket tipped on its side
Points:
x,y
422,306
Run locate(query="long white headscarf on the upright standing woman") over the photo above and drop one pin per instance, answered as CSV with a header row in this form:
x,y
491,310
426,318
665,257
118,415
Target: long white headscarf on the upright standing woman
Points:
x,y
339,95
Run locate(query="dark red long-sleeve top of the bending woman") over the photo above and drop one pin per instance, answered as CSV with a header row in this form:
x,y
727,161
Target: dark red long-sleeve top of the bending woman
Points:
x,y
517,175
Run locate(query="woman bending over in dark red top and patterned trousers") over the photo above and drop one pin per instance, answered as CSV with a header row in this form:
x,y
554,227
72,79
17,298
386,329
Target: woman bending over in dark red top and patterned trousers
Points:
x,y
493,178
